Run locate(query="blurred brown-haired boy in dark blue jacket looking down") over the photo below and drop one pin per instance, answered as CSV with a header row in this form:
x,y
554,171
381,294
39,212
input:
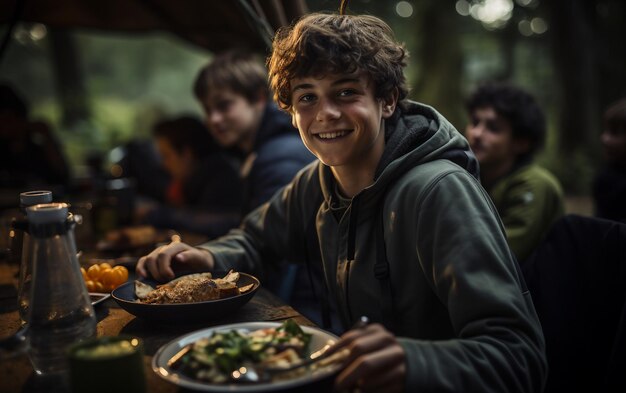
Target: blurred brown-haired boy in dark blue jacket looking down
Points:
x,y
240,114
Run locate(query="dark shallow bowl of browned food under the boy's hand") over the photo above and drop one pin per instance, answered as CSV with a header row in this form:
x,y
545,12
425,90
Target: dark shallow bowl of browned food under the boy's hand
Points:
x,y
188,298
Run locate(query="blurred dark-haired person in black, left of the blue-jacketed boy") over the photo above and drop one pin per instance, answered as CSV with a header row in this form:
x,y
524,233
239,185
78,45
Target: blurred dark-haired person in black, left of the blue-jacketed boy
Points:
x,y
205,192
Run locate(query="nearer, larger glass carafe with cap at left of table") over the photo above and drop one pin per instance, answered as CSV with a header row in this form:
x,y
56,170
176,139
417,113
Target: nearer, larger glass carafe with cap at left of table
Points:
x,y
60,311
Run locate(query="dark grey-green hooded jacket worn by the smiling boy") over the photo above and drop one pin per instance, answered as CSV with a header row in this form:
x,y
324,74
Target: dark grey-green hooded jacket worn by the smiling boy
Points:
x,y
463,315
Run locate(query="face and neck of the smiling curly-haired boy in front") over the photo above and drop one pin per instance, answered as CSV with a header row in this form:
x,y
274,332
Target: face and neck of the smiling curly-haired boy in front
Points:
x,y
341,122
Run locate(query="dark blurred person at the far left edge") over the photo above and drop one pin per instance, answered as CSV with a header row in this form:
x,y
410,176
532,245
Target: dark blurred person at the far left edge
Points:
x,y
30,155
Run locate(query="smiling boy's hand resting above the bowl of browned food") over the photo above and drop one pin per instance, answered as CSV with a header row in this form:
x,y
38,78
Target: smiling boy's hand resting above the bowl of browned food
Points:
x,y
160,263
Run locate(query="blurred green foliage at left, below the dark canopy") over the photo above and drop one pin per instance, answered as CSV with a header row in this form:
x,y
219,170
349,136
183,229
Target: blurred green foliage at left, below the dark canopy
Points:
x,y
132,82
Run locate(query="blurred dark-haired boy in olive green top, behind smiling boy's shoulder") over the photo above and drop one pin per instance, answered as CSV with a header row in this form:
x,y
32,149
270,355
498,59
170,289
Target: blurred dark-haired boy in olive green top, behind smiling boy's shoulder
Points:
x,y
506,128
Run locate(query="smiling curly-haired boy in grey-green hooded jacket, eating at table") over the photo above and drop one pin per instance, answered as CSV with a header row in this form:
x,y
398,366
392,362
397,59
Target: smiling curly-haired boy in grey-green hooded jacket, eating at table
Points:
x,y
407,236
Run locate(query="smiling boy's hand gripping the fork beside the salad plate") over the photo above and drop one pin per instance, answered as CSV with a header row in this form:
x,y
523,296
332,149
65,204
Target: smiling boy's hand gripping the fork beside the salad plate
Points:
x,y
376,362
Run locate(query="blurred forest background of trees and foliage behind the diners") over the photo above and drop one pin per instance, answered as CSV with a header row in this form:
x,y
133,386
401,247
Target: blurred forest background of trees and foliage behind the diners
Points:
x,y
100,89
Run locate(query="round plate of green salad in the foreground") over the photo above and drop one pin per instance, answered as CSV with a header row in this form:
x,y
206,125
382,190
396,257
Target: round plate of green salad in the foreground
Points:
x,y
205,360
